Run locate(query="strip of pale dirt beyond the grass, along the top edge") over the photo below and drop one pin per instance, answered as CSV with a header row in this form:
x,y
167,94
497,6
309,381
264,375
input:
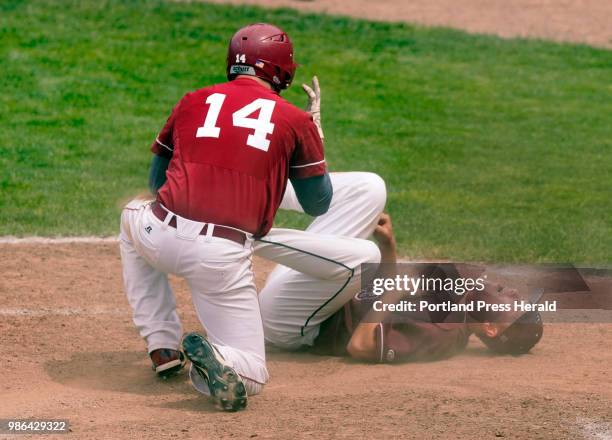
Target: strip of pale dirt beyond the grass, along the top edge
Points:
x,y
582,21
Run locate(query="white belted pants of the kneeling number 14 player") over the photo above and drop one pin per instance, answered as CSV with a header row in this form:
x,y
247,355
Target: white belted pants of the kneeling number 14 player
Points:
x,y
220,278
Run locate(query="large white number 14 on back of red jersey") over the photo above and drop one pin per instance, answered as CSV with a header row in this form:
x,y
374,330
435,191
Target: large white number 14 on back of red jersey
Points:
x,y
262,126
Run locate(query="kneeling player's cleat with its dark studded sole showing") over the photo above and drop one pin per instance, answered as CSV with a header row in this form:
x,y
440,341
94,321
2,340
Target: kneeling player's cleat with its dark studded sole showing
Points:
x,y
226,387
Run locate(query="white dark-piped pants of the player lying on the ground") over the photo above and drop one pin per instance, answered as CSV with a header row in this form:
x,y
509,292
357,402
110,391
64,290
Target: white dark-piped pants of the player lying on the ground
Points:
x,y
319,268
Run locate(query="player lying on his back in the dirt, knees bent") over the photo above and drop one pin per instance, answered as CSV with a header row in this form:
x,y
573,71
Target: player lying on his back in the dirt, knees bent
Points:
x,y
309,300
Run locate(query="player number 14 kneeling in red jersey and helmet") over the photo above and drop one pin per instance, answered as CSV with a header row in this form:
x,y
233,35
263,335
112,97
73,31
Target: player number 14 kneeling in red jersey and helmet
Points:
x,y
220,169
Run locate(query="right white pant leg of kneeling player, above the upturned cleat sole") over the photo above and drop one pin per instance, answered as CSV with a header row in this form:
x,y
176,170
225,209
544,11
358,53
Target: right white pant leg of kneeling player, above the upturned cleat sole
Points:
x,y
220,277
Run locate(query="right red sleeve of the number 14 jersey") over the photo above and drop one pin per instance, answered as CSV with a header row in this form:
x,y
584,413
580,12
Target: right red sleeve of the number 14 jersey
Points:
x,y
308,158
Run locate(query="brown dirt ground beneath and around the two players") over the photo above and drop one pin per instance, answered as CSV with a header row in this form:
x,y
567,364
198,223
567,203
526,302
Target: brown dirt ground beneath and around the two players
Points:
x,y
70,351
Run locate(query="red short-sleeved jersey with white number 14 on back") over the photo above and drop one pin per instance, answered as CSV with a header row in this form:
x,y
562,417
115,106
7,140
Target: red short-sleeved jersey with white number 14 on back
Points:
x,y
233,147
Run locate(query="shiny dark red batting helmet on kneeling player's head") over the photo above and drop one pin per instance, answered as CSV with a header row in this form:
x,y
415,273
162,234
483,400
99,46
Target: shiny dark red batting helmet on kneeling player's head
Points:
x,y
264,51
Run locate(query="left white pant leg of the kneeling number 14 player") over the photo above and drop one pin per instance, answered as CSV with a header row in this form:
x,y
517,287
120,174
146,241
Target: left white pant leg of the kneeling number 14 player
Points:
x,y
147,289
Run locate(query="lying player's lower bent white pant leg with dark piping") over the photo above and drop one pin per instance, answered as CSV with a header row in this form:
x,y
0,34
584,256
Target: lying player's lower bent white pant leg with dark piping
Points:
x,y
319,274
